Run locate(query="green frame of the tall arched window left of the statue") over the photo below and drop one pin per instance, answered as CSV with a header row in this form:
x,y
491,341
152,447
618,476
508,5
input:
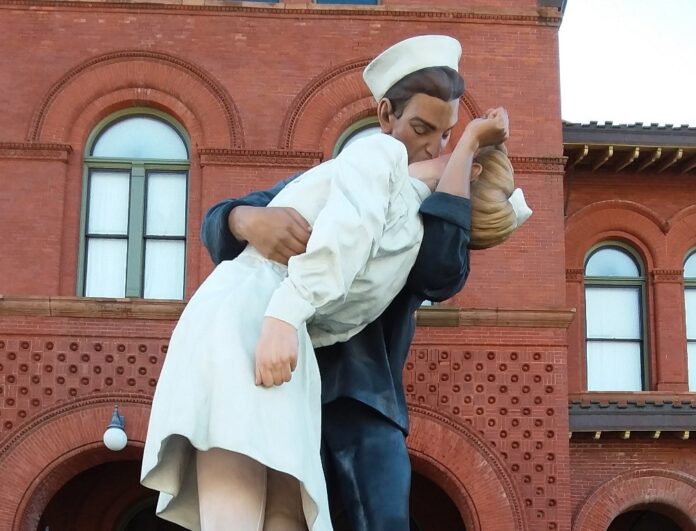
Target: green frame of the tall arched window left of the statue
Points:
x,y
139,171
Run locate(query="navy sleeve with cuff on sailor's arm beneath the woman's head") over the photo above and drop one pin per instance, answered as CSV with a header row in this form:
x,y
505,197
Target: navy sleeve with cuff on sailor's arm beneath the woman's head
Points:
x,y
442,265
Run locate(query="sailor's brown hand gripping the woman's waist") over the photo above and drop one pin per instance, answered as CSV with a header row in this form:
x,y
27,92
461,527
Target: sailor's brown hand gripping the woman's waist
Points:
x,y
278,233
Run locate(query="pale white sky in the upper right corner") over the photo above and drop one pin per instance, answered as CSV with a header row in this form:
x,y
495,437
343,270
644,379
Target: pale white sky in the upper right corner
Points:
x,y
629,61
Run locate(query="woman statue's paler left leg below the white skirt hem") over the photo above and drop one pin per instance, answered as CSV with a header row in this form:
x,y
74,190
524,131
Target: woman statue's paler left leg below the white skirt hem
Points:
x,y
231,491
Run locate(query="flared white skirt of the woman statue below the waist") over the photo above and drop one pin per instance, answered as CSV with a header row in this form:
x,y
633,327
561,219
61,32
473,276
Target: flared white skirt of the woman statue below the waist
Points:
x,y
207,398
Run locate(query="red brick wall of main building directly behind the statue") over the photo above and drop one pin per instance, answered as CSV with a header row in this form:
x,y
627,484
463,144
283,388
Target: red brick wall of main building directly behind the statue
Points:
x,y
263,92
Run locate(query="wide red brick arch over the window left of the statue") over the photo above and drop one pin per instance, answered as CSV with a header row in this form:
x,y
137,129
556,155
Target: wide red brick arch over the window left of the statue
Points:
x,y
141,78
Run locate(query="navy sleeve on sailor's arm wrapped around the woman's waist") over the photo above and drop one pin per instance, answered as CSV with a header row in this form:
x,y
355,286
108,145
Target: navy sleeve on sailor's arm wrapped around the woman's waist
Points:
x,y
215,232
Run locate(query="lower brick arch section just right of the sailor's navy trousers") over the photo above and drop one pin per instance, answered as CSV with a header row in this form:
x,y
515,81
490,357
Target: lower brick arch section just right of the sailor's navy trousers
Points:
x,y
448,453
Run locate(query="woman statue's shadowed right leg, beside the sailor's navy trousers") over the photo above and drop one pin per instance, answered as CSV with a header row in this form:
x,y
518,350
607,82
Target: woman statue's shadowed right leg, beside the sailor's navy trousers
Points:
x,y
284,504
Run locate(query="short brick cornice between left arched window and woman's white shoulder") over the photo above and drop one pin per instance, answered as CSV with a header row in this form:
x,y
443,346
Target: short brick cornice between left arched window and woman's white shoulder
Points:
x,y
270,157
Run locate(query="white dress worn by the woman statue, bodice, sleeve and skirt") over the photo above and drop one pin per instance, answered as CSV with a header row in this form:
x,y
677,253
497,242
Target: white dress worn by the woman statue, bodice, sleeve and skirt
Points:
x,y
366,231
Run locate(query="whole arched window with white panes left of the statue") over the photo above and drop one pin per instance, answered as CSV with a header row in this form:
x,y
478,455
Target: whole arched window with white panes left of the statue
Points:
x,y
134,208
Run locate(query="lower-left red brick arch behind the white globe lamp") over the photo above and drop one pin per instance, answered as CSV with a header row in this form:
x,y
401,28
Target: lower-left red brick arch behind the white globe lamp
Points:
x,y
60,443
